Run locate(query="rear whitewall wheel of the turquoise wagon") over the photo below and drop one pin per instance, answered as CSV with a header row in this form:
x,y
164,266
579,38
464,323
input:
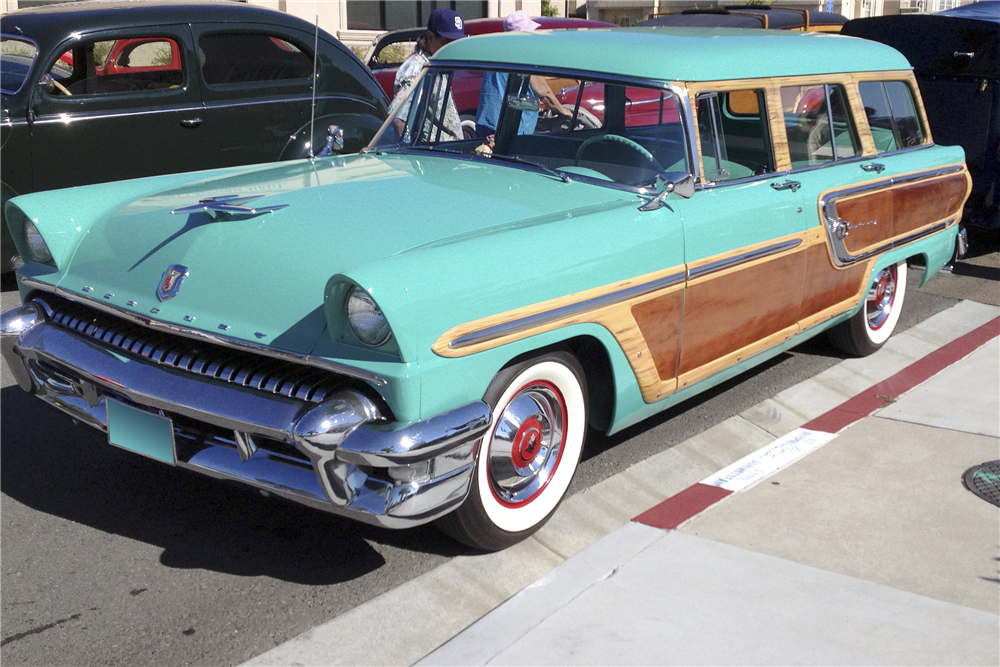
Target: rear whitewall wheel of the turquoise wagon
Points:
x,y
870,327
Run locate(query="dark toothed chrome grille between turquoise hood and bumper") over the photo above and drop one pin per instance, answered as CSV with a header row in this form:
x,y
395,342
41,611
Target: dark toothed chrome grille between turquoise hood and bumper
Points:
x,y
199,358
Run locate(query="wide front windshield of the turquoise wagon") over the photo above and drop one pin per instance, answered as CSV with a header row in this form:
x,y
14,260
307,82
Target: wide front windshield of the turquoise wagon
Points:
x,y
600,131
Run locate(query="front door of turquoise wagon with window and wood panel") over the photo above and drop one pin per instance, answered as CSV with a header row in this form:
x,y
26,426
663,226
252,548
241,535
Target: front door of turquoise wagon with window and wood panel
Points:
x,y
745,237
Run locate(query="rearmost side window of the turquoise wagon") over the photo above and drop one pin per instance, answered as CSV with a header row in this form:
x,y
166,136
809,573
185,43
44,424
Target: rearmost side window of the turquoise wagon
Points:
x,y
892,114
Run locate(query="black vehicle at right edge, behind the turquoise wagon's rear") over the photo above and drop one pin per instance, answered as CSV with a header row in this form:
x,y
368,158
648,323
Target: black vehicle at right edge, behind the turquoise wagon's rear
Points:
x,y
956,59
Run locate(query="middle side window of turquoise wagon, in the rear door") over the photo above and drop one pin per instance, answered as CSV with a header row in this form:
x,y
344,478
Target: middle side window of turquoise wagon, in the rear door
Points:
x,y
818,124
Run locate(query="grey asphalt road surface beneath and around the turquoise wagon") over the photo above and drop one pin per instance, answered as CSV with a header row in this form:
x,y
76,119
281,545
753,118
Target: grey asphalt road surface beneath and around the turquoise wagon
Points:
x,y
111,558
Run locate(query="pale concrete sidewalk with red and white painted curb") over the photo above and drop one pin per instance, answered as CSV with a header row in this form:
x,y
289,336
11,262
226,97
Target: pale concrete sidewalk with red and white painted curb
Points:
x,y
815,528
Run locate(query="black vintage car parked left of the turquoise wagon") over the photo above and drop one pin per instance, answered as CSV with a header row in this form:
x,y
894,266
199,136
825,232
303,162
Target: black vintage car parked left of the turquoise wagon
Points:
x,y
105,91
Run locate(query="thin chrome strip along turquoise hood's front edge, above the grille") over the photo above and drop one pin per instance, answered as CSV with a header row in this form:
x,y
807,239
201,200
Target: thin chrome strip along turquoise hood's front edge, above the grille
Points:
x,y
194,334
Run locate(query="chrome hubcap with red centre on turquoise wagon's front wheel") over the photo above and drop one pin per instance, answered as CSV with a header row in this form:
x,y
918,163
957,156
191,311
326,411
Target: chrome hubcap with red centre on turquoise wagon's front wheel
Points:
x,y
527,443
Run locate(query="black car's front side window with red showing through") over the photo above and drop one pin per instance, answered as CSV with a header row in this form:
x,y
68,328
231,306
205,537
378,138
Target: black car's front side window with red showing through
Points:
x,y
123,65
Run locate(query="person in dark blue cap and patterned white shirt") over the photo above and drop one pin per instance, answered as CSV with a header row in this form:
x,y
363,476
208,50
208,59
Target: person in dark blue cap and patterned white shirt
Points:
x,y
443,26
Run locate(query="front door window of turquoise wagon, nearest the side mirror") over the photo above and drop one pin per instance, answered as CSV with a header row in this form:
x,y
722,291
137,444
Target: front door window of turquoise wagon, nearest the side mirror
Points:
x,y
735,142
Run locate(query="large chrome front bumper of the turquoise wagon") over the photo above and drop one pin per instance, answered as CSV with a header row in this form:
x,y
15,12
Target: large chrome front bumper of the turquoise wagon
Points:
x,y
340,455
